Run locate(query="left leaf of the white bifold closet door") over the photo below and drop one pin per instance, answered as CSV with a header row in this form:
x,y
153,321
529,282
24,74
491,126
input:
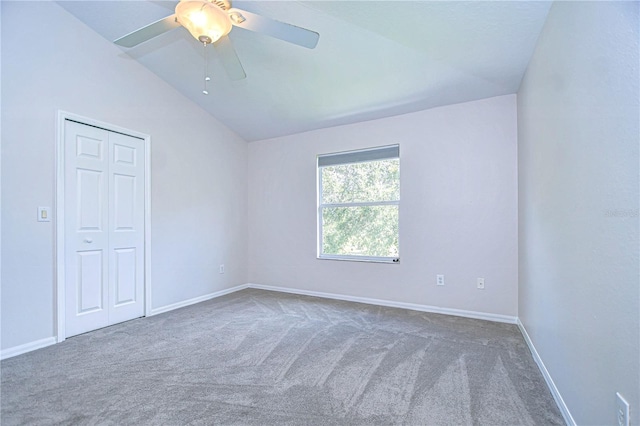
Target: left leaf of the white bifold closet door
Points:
x,y
86,239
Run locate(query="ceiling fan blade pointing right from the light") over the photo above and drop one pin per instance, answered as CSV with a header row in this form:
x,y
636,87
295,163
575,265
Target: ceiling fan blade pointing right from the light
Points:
x,y
287,32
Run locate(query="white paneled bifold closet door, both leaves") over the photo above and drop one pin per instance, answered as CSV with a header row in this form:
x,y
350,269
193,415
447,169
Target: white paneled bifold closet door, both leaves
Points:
x,y
104,197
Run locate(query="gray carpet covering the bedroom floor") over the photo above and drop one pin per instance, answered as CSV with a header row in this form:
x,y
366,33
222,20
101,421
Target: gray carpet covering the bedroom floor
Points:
x,y
264,358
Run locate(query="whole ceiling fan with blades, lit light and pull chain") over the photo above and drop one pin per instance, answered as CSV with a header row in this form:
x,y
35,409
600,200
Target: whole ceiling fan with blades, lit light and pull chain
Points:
x,y
209,22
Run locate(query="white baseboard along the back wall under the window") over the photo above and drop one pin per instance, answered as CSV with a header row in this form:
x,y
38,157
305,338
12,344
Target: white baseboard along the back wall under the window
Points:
x,y
392,304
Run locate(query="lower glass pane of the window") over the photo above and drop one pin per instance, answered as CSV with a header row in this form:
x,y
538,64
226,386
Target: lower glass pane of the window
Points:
x,y
360,231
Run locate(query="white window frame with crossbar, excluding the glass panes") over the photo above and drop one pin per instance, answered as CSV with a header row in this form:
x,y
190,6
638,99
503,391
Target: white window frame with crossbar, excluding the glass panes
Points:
x,y
320,206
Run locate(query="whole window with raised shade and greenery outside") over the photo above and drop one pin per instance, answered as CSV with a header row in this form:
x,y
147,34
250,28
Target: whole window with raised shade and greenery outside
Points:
x,y
358,205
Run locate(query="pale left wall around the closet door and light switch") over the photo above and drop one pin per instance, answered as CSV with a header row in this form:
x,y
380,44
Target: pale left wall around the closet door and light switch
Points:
x,y
199,168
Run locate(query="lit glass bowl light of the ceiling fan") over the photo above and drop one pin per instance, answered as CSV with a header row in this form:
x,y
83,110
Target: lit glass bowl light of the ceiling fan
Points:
x,y
205,21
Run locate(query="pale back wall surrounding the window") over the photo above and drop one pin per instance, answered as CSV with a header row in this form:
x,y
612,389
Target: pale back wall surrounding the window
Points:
x,y
458,212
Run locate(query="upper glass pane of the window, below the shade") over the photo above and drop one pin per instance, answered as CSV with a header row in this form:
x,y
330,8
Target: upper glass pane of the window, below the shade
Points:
x,y
361,182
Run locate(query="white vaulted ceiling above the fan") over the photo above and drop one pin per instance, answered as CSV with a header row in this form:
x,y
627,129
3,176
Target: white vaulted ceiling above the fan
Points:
x,y
374,59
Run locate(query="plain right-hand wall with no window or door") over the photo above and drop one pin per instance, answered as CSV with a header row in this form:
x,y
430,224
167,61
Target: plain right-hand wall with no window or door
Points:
x,y
578,165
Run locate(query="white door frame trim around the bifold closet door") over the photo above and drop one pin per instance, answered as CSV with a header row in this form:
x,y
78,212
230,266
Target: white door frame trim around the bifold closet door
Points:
x,y
59,251
